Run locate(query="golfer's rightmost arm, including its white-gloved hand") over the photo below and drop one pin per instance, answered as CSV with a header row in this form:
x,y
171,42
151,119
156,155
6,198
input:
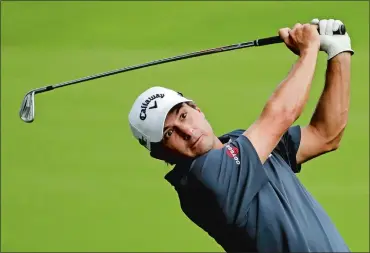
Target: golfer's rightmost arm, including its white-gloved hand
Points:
x,y
325,130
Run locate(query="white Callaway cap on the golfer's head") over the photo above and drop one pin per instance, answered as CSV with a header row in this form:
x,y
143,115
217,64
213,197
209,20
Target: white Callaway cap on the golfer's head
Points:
x,y
149,112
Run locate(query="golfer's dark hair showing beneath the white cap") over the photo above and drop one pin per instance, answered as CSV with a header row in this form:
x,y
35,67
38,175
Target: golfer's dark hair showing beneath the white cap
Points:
x,y
160,152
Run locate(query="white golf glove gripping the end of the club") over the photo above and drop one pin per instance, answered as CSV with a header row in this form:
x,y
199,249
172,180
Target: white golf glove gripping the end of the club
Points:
x,y
330,43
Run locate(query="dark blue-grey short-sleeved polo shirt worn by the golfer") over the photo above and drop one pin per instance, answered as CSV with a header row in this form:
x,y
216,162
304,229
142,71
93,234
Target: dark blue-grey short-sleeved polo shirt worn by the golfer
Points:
x,y
248,206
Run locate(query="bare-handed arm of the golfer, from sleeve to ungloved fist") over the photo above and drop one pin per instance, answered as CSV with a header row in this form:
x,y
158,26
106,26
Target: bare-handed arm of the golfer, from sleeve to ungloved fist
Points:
x,y
287,102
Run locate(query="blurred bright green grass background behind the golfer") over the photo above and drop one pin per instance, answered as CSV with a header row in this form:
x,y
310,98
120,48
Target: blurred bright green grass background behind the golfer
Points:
x,y
76,180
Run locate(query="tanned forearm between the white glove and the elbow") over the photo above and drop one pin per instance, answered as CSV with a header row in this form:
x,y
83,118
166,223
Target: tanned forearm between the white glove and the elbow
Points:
x,y
331,114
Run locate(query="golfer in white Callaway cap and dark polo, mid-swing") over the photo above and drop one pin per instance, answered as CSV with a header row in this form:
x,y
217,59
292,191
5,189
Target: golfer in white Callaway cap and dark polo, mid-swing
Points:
x,y
241,187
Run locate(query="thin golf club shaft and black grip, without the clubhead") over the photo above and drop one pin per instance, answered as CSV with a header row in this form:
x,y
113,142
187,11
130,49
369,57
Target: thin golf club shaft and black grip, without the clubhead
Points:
x,y
260,42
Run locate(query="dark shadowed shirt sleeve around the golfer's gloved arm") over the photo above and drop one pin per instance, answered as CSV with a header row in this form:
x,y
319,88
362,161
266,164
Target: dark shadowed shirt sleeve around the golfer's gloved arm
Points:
x,y
288,147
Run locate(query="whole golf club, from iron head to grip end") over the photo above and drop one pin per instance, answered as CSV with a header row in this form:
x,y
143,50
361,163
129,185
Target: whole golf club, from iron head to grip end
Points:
x,y
27,110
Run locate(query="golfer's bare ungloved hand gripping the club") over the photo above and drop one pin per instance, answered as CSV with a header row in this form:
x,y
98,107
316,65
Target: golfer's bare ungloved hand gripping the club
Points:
x,y
301,39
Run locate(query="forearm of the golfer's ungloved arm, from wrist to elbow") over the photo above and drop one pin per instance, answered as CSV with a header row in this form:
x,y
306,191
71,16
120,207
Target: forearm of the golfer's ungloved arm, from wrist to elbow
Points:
x,y
292,94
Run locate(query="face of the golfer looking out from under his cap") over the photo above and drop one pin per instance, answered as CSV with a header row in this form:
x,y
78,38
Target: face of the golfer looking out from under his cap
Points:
x,y
187,132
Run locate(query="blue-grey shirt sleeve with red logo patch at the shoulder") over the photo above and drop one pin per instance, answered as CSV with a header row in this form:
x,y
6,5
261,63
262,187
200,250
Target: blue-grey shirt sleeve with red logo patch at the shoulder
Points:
x,y
234,175
